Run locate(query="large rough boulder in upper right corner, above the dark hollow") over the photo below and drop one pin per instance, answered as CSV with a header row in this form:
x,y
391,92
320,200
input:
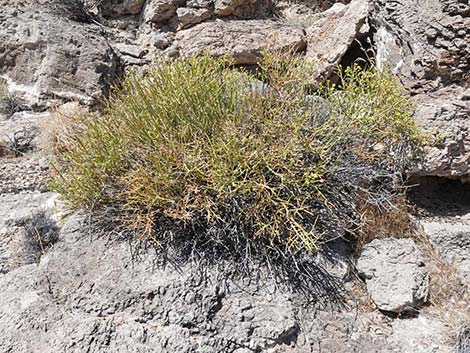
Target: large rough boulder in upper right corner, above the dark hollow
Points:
x,y
428,48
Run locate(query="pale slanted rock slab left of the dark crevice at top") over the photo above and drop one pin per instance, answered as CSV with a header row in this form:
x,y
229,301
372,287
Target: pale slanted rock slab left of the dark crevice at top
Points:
x,y
332,33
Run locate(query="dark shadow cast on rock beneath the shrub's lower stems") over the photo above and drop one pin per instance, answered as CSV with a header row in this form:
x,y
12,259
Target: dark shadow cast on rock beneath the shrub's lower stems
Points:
x,y
237,258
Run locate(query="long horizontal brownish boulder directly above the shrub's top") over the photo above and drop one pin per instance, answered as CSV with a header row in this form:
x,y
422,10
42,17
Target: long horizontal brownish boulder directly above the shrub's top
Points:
x,y
243,40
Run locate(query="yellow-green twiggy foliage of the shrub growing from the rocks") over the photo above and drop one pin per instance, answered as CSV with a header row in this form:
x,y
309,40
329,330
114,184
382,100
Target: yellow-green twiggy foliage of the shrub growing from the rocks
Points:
x,y
192,137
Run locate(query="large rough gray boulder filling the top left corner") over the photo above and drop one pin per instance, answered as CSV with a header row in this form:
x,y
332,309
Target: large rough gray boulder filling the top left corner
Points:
x,y
44,57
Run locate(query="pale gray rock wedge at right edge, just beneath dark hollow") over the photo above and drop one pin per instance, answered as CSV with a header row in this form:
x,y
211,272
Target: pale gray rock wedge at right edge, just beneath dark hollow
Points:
x,y
452,240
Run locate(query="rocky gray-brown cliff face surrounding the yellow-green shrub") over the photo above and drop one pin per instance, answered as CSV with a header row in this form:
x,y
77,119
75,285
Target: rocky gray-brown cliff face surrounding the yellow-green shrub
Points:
x,y
66,287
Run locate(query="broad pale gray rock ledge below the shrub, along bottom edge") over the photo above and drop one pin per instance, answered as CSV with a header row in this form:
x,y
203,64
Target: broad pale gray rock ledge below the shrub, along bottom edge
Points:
x,y
95,293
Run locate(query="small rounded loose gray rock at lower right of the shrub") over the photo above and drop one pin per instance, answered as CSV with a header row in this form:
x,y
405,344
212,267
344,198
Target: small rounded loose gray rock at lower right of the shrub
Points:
x,y
395,274
